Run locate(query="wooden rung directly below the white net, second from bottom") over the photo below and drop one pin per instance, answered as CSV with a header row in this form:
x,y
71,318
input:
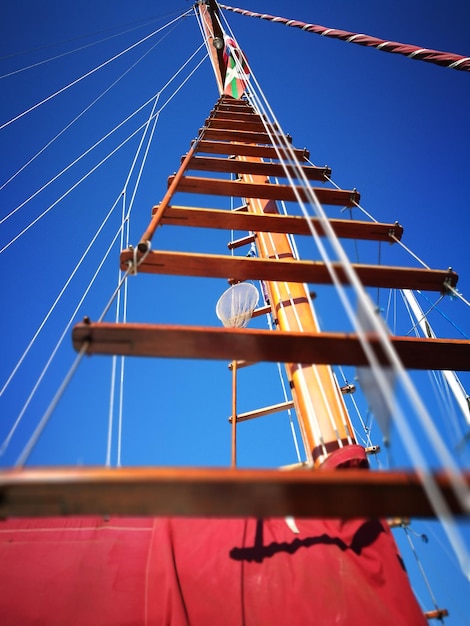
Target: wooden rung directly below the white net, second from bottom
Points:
x,y
230,344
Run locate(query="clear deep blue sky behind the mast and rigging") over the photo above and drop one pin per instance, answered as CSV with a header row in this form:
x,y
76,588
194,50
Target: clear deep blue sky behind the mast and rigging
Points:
x,y
396,129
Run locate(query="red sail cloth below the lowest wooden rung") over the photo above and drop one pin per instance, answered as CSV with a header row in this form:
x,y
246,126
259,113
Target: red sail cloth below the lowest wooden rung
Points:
x,y
160,571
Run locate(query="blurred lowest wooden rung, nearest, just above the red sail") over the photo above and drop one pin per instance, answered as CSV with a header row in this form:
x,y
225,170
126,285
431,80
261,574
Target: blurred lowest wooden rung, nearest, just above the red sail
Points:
x,y
218,492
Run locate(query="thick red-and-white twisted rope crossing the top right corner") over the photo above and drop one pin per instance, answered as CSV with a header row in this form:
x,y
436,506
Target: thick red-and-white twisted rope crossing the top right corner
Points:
x,y
445,59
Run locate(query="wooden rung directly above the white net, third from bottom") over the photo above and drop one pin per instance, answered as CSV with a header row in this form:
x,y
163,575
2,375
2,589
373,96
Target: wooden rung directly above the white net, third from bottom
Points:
x,y
240,268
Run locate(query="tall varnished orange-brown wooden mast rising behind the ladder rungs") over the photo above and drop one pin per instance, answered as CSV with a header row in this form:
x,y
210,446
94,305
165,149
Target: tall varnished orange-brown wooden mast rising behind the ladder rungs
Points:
x,y
322,415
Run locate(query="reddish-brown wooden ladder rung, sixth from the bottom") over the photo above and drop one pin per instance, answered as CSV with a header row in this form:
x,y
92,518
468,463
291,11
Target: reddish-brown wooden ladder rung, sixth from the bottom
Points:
x,y
214,164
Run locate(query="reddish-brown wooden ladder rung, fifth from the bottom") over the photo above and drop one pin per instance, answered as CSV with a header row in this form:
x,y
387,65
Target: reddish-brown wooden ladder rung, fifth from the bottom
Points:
x,y
240,189
